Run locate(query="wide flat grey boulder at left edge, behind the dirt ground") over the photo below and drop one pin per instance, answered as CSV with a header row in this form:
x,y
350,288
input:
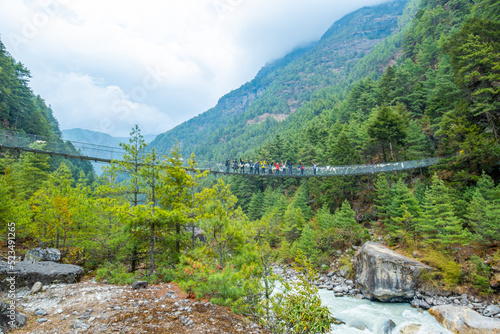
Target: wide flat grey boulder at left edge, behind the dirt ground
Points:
x,y
25,274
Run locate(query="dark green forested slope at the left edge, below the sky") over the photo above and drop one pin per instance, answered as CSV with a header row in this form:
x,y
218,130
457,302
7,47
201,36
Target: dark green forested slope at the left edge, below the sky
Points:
x,y
24,112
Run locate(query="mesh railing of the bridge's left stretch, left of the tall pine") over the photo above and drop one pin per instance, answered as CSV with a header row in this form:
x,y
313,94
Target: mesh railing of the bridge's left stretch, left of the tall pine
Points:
x,y
35,142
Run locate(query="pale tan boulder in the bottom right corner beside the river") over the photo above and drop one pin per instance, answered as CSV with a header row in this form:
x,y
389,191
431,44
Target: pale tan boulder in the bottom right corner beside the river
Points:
x,y
463,320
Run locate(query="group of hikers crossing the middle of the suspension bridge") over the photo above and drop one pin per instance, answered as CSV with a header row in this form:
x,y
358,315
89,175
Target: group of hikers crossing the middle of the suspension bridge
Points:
x,y
260,167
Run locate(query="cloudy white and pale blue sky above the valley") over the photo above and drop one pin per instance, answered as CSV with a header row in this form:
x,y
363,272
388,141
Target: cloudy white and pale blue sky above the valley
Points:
x,y
106,65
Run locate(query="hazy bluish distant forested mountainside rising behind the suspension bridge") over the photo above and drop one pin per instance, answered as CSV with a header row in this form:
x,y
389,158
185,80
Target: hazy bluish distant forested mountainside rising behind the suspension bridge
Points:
x,y
248,116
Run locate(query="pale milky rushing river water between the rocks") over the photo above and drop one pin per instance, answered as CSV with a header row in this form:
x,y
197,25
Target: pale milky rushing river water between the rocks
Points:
x,y
372,315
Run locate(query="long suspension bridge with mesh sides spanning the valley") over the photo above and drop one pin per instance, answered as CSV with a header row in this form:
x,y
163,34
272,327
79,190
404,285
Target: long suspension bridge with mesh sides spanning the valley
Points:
x,y
107,154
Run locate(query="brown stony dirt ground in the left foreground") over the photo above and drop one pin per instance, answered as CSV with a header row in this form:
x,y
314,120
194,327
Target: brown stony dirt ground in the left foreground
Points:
x,y
90,307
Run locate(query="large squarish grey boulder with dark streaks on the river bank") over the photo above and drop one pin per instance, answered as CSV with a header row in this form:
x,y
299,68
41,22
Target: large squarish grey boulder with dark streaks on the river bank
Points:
x,y
385,275
